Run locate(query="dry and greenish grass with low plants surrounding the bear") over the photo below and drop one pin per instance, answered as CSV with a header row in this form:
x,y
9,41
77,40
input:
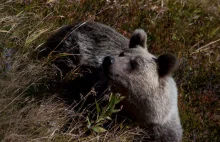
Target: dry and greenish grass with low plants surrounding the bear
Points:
x,y
188,28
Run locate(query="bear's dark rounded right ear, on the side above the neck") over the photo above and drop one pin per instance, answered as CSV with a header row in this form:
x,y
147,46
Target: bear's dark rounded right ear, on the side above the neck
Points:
x,y
167,63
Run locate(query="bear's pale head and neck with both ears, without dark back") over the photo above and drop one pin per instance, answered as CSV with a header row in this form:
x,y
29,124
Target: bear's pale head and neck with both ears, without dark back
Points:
x,y
150,90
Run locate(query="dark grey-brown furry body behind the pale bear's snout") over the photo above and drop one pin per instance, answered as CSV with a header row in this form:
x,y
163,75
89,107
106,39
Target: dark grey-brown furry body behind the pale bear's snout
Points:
x,y
85,44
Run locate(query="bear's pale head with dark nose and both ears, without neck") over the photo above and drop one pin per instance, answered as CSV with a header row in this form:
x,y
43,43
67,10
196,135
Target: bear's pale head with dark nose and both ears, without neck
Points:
x,y
136,68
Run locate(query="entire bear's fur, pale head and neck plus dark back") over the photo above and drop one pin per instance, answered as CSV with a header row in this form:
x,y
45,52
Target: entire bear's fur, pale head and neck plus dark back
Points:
x,y
145,80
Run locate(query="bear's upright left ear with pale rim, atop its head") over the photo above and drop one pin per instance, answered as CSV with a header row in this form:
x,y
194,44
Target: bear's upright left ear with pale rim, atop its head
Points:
x,y
139,37
